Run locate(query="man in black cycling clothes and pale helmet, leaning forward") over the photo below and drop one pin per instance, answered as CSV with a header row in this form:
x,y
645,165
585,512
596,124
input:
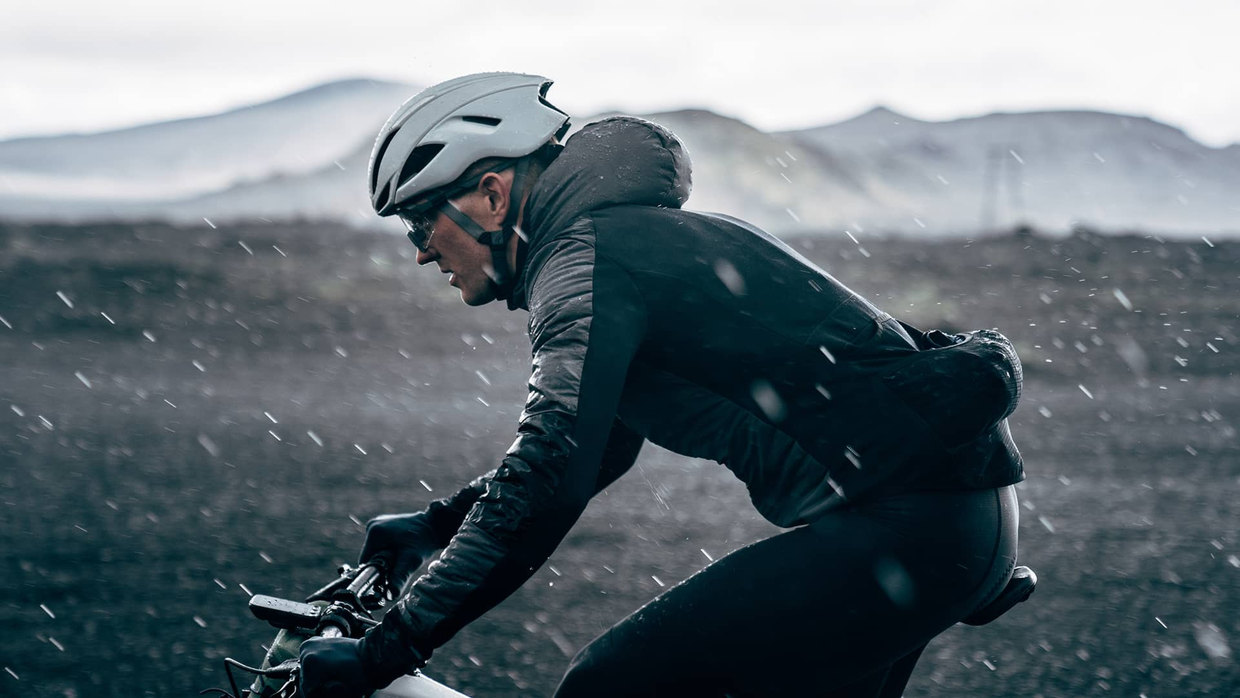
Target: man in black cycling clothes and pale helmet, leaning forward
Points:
x,y
882,449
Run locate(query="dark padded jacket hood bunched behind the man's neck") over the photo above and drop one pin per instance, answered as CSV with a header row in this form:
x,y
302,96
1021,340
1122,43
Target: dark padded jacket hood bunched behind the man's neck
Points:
x,y
621,161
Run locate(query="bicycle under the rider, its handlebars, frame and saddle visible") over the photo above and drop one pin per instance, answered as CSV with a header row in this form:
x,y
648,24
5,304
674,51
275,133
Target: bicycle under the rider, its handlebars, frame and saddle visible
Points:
x,y
348,607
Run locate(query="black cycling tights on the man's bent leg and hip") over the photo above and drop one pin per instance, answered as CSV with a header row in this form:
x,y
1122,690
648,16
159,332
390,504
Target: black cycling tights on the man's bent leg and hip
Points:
x,y
828,609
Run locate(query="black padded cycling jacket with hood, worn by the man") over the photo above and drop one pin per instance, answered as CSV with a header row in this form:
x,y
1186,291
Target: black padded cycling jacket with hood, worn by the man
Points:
x,y
706,337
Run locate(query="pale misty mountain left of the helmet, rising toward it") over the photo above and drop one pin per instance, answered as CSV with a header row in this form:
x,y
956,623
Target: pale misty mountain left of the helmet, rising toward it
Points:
x,y
290,137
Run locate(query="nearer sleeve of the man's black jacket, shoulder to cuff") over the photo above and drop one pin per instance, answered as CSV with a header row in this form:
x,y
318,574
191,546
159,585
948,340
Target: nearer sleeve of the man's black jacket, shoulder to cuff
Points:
x,y
587,322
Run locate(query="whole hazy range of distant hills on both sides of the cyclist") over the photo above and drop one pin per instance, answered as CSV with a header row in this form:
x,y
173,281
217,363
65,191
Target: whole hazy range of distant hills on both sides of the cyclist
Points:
x,y
304,157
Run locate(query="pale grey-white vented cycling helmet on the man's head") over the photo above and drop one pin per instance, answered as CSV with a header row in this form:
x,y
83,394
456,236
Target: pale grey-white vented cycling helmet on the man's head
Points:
x,y
435,137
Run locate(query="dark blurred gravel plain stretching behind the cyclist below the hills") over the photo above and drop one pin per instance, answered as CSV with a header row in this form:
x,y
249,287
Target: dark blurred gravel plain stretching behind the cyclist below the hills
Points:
x,y
193,415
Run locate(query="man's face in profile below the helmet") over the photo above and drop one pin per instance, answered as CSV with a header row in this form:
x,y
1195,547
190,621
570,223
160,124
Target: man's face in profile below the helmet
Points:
x,y
457,254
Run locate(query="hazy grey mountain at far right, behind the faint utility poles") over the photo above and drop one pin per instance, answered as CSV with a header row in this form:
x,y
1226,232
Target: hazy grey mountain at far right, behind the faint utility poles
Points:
x,y
1052,170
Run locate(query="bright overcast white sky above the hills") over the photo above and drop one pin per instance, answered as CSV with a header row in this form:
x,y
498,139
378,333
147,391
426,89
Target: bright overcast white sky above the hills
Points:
x,y
82,65
